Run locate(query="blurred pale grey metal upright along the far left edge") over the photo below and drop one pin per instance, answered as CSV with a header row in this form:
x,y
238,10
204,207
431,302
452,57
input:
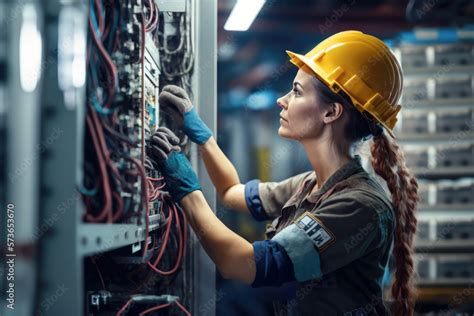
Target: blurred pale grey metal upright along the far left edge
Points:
x,y
22,153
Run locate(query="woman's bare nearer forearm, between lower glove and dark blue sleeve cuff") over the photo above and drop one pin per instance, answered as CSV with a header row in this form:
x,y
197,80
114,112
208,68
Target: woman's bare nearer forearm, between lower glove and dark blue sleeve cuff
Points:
x,y
232,254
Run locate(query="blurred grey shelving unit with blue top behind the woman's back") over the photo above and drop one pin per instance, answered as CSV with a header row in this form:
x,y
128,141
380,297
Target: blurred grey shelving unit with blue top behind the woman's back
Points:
x,y
436,131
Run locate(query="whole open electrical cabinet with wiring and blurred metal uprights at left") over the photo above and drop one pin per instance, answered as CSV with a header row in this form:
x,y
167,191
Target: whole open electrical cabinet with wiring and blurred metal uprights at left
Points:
x,y
96,231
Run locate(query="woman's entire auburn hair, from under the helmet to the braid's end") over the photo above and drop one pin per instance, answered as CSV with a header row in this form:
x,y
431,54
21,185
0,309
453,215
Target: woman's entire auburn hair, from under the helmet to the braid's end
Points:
x,y
388,161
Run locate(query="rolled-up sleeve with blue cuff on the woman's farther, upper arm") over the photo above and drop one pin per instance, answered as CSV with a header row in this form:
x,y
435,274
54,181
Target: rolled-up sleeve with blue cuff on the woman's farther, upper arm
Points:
x,y
266,199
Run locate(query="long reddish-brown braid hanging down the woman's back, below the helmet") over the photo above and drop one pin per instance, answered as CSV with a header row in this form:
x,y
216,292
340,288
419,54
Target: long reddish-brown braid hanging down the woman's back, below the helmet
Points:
x,y
388,161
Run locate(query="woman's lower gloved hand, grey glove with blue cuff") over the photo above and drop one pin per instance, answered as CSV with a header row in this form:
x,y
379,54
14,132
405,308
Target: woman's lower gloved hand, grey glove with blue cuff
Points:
x,y
175,167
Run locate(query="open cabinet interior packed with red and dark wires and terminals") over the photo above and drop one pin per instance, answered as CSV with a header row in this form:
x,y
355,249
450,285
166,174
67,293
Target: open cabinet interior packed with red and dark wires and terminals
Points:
x,y
120,183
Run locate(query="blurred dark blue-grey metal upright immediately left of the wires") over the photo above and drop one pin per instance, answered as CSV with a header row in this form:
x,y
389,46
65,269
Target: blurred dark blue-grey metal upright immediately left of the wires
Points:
x,y
60,267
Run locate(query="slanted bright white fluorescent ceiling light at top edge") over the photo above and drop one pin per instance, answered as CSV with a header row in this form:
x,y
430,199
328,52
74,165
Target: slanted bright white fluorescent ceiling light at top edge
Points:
x,y
243,14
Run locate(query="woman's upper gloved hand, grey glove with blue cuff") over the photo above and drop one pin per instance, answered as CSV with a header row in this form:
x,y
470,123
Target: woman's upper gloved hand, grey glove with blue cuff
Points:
x,y
175,101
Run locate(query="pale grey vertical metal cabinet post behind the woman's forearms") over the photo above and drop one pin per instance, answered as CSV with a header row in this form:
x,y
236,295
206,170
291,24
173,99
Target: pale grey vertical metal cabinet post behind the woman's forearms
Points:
x,y
205,87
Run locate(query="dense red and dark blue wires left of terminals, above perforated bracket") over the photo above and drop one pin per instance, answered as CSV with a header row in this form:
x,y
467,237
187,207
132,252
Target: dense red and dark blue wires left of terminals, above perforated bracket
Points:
x,y
112,153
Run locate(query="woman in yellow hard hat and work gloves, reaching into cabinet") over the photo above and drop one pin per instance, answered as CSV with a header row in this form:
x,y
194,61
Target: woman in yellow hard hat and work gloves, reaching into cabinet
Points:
x,y
334,227
